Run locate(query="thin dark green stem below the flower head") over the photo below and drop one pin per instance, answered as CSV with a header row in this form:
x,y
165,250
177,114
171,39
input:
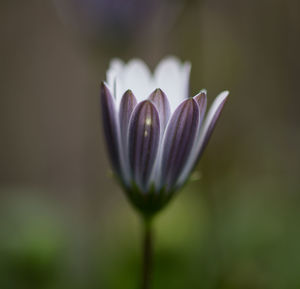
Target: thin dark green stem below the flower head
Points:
x,y
147,255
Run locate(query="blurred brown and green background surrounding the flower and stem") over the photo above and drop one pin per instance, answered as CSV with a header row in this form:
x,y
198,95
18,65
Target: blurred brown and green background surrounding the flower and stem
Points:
x,y
64,221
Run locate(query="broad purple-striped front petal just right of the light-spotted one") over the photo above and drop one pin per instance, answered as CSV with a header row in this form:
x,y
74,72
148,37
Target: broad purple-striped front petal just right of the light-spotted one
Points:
x,y
178,140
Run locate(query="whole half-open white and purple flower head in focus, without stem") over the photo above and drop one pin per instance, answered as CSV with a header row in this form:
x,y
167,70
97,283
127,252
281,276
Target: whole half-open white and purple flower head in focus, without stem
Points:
x,y
155,132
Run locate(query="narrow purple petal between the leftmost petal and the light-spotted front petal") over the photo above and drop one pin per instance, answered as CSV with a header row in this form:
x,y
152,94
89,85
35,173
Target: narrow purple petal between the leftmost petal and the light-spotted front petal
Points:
x,y
128,103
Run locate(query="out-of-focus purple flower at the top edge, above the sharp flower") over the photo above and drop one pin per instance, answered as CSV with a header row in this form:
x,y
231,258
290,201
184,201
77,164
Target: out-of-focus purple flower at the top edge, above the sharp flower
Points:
x,y
115,19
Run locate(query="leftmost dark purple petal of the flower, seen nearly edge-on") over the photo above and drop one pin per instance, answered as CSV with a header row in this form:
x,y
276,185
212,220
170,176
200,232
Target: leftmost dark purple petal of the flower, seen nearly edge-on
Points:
x,y
110,127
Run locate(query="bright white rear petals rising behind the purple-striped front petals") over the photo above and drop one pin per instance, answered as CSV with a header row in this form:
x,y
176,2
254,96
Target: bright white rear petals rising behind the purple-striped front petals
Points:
x,y
170,75
